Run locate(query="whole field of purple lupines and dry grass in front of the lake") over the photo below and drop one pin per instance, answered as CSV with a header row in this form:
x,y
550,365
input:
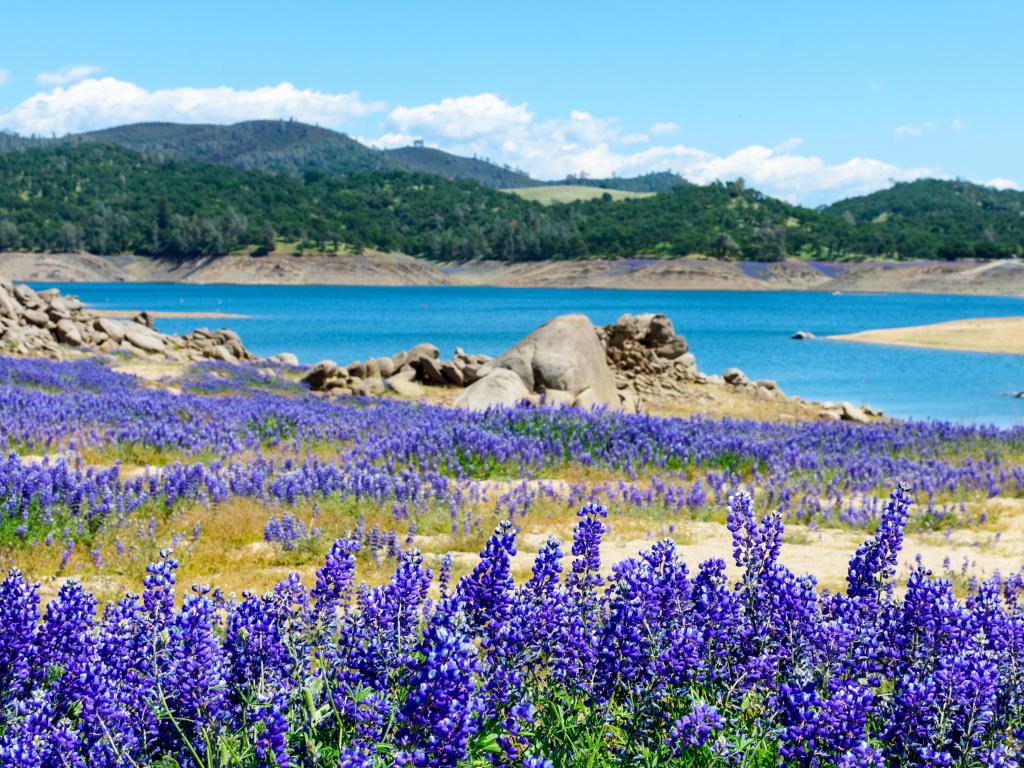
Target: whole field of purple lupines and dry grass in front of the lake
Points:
x,y
385,583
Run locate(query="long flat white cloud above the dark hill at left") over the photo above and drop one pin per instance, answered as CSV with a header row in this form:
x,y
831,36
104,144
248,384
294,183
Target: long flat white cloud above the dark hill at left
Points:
x,y
103,103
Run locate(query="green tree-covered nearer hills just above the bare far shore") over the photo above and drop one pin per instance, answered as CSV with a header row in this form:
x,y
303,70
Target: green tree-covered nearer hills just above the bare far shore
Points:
x,y
70,196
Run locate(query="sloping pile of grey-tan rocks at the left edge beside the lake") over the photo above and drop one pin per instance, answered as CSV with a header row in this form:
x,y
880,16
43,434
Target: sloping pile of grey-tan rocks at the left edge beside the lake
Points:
x,y
47,324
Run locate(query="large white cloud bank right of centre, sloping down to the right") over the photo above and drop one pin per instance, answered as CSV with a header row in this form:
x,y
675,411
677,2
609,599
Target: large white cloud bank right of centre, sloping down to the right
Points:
x,y
582,143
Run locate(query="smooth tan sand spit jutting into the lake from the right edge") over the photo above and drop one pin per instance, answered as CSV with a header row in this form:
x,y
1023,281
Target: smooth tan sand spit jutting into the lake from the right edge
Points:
x,y
1005,335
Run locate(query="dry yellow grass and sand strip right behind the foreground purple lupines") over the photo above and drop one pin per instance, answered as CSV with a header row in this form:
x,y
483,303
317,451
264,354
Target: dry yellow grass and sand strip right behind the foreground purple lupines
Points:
x,y
231,552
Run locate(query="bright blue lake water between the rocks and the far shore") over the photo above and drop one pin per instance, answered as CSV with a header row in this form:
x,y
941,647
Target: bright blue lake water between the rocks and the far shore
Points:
x,y
750,331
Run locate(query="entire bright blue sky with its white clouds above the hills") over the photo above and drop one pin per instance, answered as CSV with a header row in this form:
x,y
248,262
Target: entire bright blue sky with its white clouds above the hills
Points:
x,y
808,101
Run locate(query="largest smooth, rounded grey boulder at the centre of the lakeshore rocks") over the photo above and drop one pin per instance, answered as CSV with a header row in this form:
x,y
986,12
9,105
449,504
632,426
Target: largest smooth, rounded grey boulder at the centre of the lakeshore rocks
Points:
x,y
566,355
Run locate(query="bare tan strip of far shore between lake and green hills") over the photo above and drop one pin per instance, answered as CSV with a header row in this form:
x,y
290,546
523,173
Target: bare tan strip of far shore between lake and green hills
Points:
x,y
998,278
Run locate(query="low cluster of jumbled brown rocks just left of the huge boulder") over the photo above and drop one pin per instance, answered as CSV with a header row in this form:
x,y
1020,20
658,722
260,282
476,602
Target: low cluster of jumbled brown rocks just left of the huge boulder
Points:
x,y
405,373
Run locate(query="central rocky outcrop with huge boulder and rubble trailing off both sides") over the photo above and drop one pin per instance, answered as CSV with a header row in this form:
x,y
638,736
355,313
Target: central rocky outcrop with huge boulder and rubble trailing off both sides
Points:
x,y
567,362
